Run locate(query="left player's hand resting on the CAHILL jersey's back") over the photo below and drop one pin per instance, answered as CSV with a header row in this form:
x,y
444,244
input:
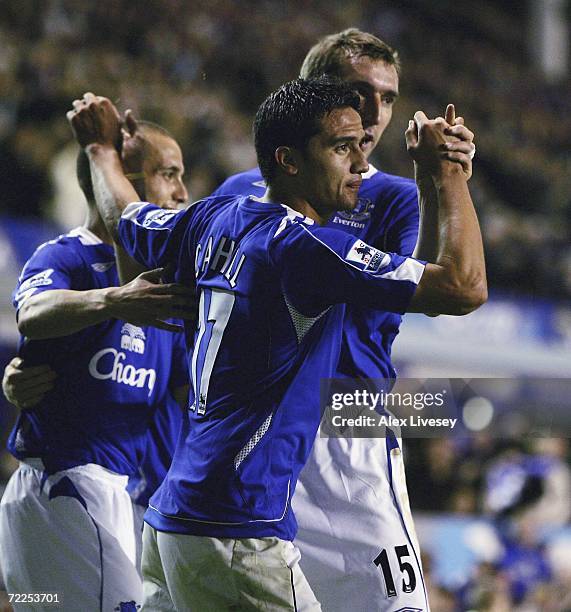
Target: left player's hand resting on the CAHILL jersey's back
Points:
x,y
147,301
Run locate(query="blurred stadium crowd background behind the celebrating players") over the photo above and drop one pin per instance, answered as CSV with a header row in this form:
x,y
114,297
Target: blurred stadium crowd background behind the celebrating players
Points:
x,y
201,68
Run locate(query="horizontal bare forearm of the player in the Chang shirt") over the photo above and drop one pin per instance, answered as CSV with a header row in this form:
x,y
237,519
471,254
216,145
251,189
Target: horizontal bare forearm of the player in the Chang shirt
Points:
x,y
53,314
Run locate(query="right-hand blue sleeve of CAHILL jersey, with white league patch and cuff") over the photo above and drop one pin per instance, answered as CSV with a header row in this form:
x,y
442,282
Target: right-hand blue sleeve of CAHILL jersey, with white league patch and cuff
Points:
x,y
321,266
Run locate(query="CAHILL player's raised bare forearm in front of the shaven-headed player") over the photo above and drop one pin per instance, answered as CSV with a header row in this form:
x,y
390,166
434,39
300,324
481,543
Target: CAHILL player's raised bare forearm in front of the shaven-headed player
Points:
x,y
113,191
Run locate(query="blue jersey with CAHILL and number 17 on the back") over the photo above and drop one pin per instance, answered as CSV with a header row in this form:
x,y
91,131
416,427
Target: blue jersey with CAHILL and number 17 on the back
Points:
x,y
273,288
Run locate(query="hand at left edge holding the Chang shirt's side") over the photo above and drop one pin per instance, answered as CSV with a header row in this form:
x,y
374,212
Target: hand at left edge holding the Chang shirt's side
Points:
x,y
26,386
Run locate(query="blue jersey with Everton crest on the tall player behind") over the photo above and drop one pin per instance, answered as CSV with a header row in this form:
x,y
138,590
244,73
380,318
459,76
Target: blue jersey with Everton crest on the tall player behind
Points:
x,y
386,217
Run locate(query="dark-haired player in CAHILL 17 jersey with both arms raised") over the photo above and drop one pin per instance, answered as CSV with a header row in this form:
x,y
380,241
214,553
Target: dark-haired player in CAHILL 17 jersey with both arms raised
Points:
x,y
272,285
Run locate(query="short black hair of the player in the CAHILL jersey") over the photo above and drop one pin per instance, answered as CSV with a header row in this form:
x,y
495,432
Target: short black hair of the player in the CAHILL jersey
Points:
x,y
290,116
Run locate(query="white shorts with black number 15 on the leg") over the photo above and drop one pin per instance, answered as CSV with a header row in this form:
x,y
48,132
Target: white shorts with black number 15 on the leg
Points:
x,y
356,534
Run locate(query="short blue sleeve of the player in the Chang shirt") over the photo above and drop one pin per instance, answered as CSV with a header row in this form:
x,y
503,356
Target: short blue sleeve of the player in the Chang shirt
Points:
x,y
52,266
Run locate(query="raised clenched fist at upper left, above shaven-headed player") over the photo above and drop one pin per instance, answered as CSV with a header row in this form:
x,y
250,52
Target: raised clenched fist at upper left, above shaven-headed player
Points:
x,y
95,120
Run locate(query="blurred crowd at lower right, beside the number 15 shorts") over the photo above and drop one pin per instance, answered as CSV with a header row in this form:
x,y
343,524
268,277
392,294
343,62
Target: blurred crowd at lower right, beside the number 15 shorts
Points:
x,y
523,489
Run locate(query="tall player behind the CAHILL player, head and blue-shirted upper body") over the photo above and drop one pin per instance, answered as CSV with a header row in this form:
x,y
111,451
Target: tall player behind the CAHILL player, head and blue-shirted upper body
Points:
x,y
387,212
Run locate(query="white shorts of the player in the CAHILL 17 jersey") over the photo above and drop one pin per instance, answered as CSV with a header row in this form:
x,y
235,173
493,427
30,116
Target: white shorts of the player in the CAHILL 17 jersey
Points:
x,y
201,574
